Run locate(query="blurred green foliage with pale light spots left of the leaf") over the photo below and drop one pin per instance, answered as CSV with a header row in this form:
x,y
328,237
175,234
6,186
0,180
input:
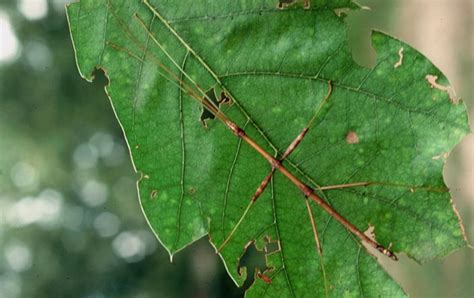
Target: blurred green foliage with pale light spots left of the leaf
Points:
x,y
70,221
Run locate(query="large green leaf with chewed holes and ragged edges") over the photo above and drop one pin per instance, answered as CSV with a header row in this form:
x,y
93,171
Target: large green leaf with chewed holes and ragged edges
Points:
x,y
391,125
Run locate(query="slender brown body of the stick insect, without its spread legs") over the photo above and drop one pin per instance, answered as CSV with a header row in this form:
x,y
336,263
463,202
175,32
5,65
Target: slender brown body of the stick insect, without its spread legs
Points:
x,y
307,191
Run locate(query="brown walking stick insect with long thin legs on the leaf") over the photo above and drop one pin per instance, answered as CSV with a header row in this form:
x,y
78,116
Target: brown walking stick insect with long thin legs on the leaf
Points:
x,y
195,91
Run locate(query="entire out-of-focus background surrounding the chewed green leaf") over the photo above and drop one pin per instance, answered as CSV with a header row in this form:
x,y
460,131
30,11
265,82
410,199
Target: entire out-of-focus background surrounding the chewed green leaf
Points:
x,y
70,222
